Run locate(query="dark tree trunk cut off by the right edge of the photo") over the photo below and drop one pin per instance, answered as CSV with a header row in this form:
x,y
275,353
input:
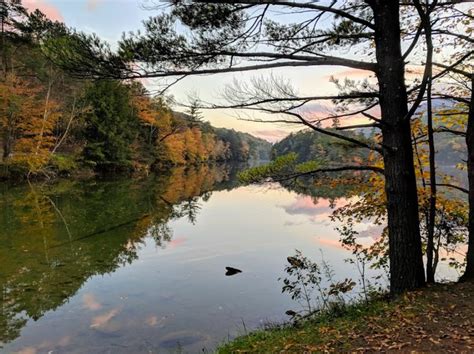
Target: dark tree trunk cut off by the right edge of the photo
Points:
x,y
469,273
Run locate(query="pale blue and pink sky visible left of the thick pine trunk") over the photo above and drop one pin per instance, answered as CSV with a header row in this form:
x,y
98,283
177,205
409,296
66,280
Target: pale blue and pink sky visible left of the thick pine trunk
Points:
x,y
110,18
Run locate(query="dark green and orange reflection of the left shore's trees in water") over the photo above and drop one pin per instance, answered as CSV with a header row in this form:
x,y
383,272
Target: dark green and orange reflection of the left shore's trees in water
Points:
x,y
53,238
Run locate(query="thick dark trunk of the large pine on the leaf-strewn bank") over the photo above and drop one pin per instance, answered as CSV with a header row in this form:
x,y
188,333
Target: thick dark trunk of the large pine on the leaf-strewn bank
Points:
x,y
406,262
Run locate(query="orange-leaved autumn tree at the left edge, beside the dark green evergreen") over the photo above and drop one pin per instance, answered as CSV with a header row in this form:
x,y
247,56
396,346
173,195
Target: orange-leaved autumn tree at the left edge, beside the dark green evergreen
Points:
x,y
35,92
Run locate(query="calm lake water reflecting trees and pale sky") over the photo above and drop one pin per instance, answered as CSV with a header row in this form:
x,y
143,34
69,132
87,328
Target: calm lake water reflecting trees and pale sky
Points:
x,y
139,266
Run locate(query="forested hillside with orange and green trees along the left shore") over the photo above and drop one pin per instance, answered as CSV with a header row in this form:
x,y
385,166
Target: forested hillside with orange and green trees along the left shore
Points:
x,y
53,124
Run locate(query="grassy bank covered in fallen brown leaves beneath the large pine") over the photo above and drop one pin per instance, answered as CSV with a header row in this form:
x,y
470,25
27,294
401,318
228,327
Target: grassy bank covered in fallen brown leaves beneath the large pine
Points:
x,y
438,318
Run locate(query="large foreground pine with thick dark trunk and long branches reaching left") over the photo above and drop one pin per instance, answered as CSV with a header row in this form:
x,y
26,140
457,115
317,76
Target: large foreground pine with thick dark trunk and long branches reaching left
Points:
x,y
227,33
